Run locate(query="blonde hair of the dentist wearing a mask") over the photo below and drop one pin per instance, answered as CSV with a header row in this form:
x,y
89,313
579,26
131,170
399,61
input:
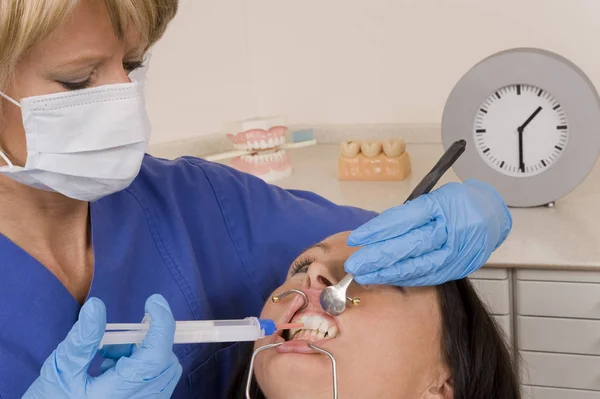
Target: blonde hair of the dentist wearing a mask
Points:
x,y
25,23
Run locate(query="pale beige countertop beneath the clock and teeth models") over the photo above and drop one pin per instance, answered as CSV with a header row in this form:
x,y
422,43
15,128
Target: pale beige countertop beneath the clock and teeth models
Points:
x,y
564,237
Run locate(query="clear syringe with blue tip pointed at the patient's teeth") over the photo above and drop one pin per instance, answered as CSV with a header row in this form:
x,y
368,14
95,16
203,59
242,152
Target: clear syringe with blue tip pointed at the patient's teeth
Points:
x,y
201,331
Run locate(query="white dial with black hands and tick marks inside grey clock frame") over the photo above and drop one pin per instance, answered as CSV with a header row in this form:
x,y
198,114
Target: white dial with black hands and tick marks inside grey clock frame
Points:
x,y
521,130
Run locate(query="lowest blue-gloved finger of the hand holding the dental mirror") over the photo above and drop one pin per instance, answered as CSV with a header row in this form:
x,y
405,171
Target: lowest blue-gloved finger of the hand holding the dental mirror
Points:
x,y
402,273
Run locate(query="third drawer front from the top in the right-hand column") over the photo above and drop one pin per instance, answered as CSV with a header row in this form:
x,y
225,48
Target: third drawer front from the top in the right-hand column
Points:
x,y
561,371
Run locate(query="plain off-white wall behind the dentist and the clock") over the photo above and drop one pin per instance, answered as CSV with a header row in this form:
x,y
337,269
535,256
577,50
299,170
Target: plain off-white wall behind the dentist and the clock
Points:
x,y
344,61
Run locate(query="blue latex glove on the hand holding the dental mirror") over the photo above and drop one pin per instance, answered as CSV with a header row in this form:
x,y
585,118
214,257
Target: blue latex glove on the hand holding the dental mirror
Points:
x,y
441,236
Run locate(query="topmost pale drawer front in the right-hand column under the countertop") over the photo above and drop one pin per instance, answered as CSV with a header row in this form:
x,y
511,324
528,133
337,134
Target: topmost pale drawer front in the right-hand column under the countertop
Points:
x,y
570,300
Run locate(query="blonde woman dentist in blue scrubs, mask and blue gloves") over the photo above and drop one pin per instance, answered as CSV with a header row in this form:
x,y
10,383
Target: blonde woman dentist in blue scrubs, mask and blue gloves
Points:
x,y
92,229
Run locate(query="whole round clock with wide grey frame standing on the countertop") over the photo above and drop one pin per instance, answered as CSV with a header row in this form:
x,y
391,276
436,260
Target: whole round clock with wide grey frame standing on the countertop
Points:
x,y
531,119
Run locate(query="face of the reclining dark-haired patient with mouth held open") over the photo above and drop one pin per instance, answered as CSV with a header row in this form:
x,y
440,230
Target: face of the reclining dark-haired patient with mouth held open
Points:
x,y
386,347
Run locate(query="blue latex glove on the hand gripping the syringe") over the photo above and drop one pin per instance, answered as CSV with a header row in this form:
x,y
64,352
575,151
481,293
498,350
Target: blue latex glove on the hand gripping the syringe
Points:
x,y
151,371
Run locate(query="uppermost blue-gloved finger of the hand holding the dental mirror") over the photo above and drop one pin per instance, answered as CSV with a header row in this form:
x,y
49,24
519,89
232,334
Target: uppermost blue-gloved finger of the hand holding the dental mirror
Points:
x,y
395,222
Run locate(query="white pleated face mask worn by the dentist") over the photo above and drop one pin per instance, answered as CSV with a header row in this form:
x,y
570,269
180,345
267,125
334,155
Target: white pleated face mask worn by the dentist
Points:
x,y
84,144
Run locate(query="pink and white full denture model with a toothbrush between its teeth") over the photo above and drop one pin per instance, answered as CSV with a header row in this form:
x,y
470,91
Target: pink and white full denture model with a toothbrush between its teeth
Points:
x,y
263,138
